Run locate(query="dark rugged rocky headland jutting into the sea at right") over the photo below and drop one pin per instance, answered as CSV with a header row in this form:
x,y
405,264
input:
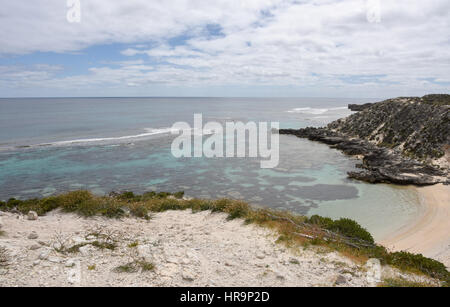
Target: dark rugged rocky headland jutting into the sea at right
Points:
x,y
402,141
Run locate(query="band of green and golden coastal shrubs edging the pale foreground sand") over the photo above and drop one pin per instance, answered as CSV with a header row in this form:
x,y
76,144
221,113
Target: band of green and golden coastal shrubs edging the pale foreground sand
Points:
x,y
344,235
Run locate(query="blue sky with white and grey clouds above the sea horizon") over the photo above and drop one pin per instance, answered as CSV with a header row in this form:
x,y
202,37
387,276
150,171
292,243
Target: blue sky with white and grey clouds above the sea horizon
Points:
x,y
301,48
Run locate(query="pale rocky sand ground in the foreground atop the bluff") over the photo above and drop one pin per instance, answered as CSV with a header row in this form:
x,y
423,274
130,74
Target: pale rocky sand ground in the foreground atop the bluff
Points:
x,y
187,249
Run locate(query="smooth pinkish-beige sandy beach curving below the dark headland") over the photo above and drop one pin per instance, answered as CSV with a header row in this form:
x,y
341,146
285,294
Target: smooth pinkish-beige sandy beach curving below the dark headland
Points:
x,y
430,233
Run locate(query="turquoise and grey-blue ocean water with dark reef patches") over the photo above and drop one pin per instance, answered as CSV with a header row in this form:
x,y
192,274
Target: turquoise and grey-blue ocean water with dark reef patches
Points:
x,y
53,145
